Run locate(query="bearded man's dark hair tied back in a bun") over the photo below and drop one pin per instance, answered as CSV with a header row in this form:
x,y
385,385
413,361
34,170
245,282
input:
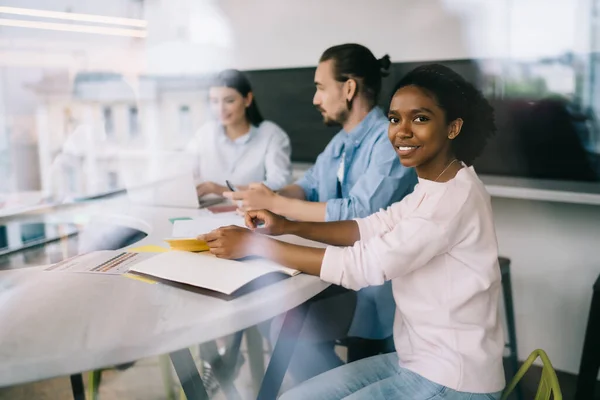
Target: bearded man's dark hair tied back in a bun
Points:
x,y
355,61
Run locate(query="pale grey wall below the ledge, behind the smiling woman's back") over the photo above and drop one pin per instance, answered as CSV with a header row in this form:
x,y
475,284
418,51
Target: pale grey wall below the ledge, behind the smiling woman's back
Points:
x,y
555,262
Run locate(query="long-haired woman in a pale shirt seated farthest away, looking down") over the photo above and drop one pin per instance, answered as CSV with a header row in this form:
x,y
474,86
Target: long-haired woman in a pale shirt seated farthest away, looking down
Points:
x,y
239,145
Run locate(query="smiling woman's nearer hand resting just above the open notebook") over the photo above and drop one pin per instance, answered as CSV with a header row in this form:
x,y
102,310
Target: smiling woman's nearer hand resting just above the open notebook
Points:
x,y
233,242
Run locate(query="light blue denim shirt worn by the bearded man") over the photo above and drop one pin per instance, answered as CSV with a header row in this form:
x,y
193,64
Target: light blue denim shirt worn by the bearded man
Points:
x,y
373,179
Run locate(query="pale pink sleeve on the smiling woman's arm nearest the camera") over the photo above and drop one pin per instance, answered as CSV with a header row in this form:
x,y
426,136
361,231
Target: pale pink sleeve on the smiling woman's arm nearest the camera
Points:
x,y
410,245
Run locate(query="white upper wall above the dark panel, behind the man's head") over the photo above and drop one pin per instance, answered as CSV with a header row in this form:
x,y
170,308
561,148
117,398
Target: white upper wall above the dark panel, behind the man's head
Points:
x,y
275,33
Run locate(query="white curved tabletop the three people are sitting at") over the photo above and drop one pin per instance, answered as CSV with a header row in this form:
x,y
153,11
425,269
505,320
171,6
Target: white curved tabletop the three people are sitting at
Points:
x,y
55,324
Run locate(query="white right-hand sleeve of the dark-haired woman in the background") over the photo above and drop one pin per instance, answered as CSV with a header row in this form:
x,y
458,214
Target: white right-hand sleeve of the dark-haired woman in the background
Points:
x,y
278,164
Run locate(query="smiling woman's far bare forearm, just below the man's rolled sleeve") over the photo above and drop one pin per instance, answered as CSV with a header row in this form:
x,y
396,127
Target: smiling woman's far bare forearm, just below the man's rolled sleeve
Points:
x,y
338,233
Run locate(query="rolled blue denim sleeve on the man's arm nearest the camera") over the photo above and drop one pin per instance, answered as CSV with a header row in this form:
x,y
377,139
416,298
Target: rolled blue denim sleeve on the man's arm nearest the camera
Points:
x,y
384,182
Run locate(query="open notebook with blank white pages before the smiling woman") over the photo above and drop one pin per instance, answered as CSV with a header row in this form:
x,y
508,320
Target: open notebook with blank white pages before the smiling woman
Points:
x,y
206,271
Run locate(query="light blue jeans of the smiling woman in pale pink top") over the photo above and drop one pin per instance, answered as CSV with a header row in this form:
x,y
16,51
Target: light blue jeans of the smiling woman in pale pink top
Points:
x,y
377,378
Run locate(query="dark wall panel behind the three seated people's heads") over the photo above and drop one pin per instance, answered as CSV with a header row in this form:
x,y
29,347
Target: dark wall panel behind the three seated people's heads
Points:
x,y
536,138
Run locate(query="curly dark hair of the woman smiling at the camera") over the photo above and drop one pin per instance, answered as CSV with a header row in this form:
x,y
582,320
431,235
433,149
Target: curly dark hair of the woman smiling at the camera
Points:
x,y
459,99
